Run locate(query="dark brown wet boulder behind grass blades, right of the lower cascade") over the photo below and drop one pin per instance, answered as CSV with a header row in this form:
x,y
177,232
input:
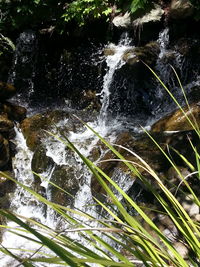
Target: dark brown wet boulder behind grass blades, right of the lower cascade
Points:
x,y
142,147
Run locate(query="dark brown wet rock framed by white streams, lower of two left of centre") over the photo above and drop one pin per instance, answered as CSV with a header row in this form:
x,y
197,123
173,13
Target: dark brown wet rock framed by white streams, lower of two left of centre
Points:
x,y
65,178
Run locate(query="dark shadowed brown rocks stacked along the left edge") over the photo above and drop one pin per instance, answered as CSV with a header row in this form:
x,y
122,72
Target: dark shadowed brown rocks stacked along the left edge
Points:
x,y
9,114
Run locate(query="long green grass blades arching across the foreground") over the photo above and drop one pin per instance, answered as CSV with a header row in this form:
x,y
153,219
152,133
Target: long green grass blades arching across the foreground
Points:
x,y
133,244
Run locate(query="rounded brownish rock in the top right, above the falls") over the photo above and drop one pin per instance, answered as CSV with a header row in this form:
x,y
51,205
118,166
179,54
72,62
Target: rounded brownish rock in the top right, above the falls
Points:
x,y
181,9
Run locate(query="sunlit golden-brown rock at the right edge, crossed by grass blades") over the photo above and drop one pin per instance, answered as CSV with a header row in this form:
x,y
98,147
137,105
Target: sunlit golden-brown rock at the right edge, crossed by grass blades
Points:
x,y
177,121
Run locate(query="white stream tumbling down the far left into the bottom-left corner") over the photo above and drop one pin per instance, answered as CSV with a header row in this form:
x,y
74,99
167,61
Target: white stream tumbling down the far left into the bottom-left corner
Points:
x,y
23,203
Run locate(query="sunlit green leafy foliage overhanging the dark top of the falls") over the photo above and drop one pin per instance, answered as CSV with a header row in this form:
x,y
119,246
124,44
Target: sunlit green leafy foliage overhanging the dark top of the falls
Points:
x,y
39,14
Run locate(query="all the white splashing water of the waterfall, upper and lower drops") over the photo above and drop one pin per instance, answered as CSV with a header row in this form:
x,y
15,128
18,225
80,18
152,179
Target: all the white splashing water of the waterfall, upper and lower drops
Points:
x,y
24,203
